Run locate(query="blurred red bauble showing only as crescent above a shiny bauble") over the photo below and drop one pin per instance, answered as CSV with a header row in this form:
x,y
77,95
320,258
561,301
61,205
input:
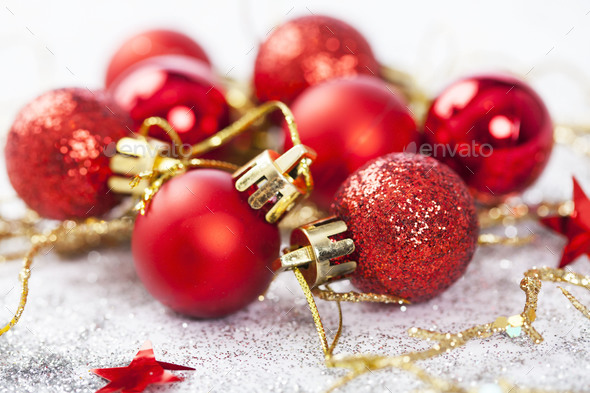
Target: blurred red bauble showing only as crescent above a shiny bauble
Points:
x,y
150,44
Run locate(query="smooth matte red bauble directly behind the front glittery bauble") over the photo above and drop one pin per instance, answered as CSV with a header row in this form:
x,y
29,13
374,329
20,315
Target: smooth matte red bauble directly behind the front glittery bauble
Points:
x,y
349,122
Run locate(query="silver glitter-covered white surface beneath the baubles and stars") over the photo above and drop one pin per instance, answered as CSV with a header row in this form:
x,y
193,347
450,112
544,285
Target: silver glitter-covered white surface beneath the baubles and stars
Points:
x,y
93,312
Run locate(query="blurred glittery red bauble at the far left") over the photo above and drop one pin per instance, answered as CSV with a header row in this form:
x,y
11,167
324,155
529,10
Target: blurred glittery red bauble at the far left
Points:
x,y
54,153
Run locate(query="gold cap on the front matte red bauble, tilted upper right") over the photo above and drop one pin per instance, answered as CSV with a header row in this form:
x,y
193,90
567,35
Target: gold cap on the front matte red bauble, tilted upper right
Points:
x,y
280,180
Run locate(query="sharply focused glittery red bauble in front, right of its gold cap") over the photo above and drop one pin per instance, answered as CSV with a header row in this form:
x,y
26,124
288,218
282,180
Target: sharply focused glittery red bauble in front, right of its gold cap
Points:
x,y
413,223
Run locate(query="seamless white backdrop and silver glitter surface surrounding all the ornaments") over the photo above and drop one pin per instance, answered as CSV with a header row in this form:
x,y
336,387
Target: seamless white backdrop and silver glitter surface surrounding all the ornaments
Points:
x,y
50,44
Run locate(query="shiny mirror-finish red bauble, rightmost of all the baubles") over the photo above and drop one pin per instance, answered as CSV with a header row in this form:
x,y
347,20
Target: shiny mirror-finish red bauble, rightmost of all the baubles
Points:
x,y
494,131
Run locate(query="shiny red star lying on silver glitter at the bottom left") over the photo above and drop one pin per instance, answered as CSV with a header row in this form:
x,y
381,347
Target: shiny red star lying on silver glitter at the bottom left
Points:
x,y
143,370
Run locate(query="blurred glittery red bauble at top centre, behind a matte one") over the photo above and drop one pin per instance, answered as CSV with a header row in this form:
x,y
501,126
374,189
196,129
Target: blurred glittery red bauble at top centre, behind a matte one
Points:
x,y
306,51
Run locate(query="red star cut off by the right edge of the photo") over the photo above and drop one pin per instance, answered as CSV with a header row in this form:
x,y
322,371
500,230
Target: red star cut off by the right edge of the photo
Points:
x,y
576,227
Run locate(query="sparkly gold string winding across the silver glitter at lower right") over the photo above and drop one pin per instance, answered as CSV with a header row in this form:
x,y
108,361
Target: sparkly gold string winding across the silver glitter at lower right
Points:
x,y
445,342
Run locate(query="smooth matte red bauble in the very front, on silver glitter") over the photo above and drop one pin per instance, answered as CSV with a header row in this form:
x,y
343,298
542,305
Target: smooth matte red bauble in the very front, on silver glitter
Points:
x,y
200,249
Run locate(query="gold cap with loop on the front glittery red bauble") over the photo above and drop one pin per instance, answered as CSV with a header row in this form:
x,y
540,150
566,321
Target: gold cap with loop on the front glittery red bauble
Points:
x,y
314,246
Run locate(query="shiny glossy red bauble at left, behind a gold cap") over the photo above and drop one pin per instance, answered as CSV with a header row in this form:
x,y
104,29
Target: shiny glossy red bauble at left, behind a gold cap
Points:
x,y
182,90
